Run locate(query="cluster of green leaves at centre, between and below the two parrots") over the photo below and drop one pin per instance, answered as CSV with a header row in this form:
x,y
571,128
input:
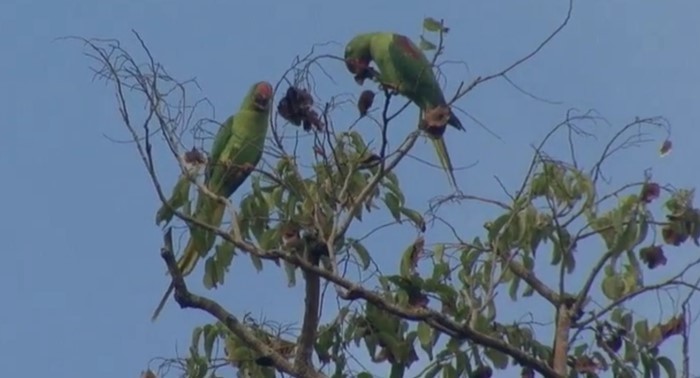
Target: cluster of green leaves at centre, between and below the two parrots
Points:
x,y
340,179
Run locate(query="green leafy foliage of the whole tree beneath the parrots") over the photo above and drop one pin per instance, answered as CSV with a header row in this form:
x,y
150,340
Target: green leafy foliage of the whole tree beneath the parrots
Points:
x,y
437,307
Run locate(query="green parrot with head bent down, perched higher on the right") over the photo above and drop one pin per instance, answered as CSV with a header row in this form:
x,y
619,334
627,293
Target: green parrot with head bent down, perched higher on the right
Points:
x,y
405,69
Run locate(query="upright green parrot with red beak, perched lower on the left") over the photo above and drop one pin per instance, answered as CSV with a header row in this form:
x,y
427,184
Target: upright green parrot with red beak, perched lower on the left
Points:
x,y
236,150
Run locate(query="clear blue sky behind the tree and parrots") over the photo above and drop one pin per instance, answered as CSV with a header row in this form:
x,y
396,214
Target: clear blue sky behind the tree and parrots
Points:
x,y
81,271
